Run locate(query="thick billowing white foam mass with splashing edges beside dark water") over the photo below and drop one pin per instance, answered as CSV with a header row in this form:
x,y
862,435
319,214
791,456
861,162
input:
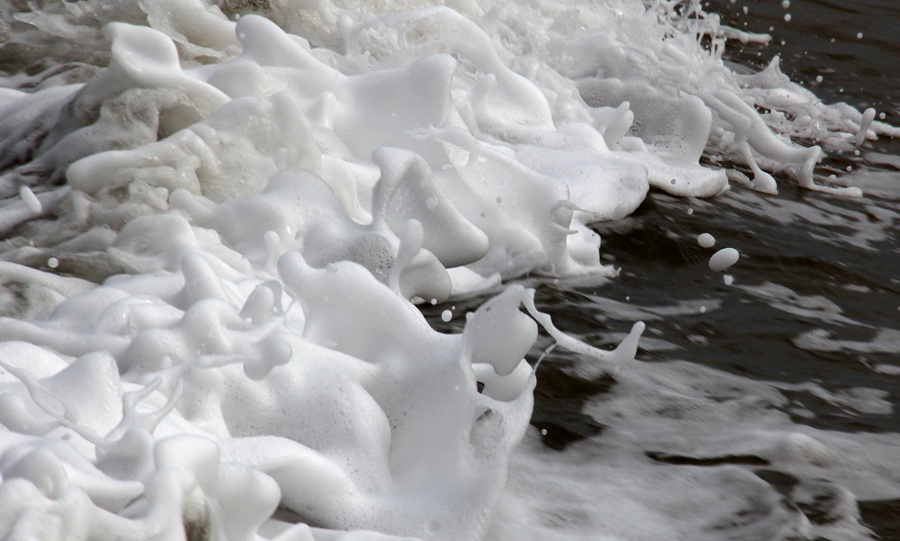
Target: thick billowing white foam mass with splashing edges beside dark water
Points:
x,y
216,233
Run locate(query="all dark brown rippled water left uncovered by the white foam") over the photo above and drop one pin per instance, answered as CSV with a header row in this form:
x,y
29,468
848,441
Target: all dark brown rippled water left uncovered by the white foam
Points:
x,y
842,253
